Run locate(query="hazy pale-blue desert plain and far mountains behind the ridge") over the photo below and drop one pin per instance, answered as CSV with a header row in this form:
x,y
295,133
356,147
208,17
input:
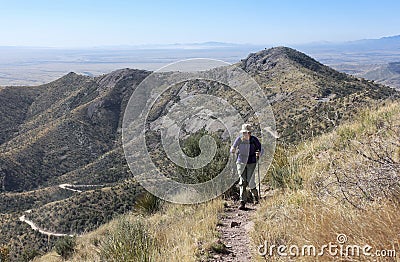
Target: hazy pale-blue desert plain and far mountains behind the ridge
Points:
x,y
39,65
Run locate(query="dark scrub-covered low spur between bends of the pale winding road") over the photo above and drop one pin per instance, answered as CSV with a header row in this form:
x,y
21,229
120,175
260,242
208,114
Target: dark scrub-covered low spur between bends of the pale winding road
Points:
x,y
85,212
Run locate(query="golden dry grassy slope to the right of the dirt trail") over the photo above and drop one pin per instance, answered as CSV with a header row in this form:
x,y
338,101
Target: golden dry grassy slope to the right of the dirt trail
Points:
x,y
351,186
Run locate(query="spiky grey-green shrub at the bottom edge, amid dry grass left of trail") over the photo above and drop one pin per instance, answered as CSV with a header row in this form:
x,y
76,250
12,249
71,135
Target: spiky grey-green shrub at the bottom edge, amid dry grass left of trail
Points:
x,y
130,241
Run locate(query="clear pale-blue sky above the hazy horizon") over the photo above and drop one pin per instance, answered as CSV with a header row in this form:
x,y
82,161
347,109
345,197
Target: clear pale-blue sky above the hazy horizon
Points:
x,y
83,23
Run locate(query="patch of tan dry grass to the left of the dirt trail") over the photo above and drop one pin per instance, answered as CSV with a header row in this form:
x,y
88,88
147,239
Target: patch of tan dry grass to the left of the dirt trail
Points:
x,y
175,233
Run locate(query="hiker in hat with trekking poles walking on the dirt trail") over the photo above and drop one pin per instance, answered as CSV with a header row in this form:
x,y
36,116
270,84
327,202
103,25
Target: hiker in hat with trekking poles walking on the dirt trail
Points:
x,y
248,149
